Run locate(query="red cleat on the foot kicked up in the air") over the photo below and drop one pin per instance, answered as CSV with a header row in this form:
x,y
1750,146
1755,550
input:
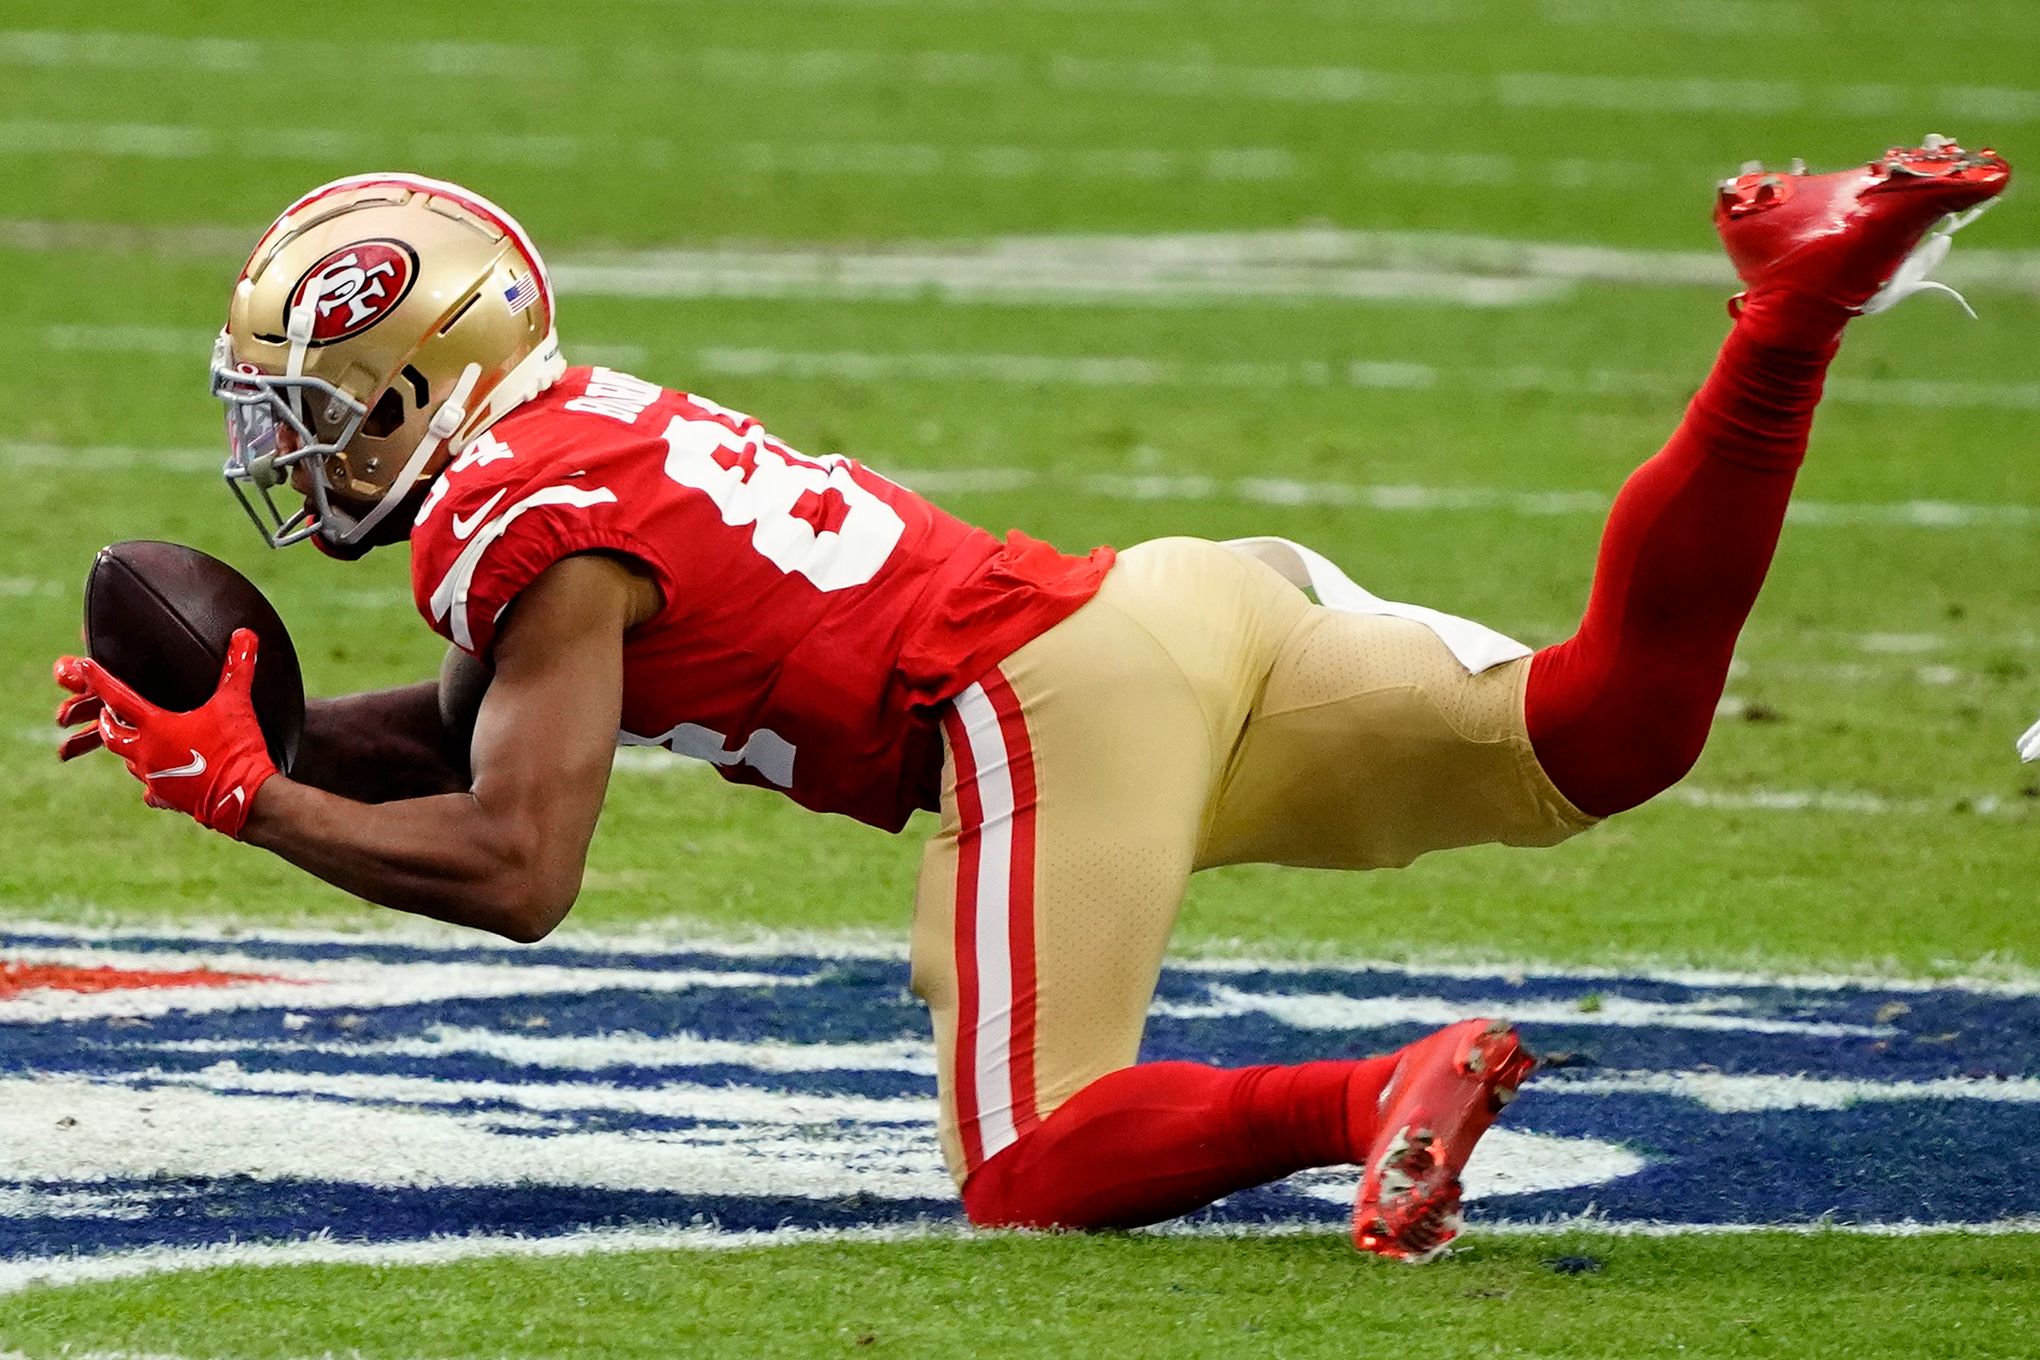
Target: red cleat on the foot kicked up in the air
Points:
x,y
1851,238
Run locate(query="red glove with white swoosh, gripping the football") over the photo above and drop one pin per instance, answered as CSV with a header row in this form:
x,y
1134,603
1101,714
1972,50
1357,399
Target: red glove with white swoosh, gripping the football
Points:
x,y
209,762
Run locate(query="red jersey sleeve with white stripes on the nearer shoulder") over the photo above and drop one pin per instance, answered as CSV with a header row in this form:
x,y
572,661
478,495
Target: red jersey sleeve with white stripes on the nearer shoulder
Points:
x,y
515,545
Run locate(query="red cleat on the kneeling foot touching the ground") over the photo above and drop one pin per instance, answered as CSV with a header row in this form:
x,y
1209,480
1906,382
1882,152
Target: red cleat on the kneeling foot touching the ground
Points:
x,y
1445,1092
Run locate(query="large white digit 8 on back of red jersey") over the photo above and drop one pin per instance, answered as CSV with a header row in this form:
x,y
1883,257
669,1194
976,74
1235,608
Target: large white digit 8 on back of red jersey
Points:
x,y
807,517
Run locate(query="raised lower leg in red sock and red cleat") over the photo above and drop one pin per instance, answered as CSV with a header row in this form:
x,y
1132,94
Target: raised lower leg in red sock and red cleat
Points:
x,y
1621,711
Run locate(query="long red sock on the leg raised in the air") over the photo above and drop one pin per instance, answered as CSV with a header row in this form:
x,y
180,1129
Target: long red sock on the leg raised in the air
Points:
x,y
1621,711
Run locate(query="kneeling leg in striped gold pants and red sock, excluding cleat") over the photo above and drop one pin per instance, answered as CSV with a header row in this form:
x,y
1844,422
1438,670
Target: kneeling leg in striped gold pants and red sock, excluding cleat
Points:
x,y
1078,782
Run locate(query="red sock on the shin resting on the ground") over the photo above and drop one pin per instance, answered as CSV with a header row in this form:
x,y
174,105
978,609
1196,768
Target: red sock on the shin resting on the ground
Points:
x,y
1156,1141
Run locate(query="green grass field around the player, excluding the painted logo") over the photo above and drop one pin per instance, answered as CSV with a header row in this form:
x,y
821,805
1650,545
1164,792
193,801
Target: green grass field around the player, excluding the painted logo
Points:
x,y
1859,806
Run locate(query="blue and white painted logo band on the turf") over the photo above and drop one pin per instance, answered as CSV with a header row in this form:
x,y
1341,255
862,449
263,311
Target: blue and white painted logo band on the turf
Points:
x,y
176,1092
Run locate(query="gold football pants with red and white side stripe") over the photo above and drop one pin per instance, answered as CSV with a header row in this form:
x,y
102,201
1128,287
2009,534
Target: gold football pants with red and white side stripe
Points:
x,y
1198,711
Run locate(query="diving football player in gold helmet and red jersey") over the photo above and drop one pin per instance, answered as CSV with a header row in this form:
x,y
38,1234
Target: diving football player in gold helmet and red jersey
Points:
x,y
615,562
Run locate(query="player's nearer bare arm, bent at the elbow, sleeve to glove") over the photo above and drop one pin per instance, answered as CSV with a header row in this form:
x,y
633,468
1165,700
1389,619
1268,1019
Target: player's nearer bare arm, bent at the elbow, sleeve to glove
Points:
x,y
509,853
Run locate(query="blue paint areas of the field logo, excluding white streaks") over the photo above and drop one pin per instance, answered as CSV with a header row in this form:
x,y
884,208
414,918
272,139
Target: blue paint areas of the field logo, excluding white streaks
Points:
x,y
1872,1163
